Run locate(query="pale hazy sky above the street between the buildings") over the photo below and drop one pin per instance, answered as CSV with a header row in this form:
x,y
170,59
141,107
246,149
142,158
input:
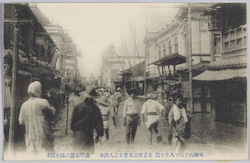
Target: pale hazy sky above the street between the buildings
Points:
x,y
95,26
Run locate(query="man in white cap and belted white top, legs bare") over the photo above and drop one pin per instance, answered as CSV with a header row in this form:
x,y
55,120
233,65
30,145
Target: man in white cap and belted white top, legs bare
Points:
x,y
153,109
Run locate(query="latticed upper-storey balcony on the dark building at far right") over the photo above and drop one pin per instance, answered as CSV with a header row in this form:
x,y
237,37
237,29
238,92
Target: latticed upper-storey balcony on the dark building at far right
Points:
x,y
235,39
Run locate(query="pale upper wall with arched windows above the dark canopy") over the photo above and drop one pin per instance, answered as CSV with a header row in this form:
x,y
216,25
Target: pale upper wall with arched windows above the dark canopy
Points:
x,y
176,34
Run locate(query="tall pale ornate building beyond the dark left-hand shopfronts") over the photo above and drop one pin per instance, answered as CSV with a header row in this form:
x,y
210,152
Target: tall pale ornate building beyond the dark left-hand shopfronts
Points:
x,y
66,61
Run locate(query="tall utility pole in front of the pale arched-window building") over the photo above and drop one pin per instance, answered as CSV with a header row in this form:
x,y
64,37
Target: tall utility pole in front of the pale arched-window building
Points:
x,y
190,95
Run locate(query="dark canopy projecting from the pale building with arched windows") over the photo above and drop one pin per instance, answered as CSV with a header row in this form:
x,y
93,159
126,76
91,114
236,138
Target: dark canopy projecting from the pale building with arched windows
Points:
x,y
172,59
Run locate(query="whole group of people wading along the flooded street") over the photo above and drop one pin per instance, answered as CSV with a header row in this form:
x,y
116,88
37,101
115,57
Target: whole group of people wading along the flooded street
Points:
x,y
91,111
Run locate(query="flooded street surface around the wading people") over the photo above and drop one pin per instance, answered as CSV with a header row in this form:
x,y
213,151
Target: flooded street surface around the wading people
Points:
x,y
209,139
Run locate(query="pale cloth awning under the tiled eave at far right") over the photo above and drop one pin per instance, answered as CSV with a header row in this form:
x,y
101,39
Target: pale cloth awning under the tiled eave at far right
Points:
x,y
210,75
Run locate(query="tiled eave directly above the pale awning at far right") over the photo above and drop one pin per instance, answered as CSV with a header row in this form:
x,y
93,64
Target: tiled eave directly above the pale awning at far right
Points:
x,y
230,62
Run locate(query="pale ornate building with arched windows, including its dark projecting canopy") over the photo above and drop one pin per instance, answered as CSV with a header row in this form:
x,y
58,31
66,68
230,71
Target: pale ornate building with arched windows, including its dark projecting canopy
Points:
x,y
167,53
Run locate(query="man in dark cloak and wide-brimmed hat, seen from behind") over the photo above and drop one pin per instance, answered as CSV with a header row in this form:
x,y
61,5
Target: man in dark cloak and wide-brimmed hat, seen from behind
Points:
x,y
85,118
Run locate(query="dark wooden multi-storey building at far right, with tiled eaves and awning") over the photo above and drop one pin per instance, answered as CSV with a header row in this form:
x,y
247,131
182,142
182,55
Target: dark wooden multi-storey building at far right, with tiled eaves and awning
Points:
x,y
226,76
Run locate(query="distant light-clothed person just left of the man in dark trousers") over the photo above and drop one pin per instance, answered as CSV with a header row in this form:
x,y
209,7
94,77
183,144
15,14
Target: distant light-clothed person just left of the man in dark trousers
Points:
x,y
116,99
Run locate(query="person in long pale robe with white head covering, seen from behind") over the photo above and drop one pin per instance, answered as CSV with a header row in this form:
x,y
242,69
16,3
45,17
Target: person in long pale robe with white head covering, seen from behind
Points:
x,y
35,118
